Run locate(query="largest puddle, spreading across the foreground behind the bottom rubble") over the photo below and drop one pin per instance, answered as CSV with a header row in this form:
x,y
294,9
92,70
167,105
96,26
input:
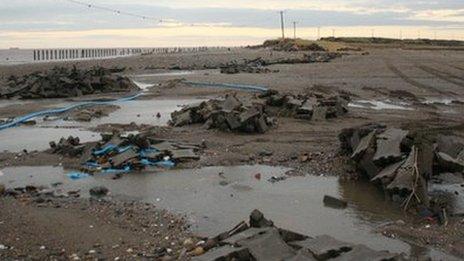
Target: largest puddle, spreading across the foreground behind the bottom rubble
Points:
x,y
216,202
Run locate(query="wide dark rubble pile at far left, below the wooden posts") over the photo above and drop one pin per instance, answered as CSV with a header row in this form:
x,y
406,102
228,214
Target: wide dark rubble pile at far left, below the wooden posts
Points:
x,y
61,82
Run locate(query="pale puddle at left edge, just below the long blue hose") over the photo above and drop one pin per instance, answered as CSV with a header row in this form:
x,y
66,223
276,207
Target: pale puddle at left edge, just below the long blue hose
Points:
x,y
33,138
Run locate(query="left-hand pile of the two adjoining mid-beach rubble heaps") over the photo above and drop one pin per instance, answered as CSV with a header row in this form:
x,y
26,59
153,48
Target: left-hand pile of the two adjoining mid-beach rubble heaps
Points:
x,y
230,114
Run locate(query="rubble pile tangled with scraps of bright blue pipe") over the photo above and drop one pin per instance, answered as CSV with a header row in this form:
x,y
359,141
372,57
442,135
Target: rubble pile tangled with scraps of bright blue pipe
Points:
x,y
117,153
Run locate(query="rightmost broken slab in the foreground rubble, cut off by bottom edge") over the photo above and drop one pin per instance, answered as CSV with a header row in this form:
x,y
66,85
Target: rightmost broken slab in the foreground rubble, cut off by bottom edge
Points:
x,y
364,253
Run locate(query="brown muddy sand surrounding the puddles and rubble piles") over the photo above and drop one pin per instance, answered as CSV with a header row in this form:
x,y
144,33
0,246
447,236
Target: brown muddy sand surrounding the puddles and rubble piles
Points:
x,y
419,84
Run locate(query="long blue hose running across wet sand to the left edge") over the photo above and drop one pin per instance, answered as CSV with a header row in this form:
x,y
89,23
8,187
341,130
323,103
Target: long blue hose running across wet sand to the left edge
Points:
x,y
21,119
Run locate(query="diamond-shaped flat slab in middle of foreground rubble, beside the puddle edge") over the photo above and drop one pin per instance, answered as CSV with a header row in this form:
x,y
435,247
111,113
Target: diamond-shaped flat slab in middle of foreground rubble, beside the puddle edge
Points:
x,y
323,247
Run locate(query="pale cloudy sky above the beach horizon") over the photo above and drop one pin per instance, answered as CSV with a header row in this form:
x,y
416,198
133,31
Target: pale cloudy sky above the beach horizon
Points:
x,y
159,23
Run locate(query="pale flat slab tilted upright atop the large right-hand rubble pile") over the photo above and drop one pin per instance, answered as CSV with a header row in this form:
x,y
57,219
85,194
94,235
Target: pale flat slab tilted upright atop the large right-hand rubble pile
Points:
x,y
389,146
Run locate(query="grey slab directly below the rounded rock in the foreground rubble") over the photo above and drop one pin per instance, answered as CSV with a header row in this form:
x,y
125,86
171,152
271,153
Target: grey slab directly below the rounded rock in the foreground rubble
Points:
x,y
268,246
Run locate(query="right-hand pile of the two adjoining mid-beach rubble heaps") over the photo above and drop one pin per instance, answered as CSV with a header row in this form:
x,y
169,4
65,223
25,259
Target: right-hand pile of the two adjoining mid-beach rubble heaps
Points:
x,y
314,106
